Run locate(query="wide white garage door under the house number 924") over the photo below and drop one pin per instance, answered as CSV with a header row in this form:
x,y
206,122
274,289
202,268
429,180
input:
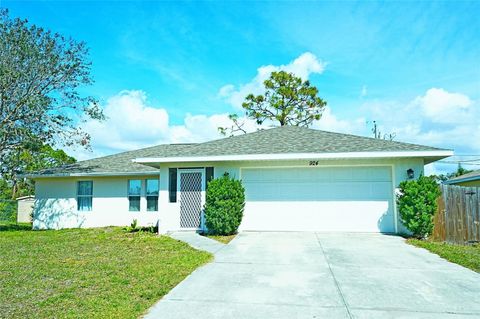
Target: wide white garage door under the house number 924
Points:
x,y
357,199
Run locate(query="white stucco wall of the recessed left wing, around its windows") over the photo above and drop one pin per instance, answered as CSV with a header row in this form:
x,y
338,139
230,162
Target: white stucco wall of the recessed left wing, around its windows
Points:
x,y
56,204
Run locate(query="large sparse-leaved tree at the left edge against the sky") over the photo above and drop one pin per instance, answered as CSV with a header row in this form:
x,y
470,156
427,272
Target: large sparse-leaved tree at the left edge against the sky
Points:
x,y
41,76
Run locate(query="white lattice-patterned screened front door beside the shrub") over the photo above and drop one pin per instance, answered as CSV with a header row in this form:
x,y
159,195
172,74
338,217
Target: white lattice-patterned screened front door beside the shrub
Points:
x,y
191,198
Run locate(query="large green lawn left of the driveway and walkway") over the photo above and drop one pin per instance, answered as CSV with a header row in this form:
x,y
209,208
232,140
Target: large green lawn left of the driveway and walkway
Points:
x,y
89,273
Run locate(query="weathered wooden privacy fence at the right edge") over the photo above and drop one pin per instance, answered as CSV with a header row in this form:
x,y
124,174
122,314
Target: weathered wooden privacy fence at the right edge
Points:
x,y
458,217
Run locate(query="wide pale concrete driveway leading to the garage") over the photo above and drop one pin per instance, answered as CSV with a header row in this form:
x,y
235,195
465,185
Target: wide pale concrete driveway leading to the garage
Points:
x,y
319,275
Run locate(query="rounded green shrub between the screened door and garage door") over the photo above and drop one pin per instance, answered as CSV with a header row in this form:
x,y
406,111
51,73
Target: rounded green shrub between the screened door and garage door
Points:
x,y
224,204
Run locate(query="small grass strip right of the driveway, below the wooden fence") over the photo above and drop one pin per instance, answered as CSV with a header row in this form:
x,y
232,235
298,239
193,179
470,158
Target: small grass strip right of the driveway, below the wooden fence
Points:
x,y
467,256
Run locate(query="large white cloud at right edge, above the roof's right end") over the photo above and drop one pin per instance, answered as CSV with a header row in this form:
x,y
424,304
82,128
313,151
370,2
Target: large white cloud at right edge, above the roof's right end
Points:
x,y
436,118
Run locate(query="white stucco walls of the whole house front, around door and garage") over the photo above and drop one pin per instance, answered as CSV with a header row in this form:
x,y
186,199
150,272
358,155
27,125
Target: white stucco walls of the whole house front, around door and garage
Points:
x,y
56,205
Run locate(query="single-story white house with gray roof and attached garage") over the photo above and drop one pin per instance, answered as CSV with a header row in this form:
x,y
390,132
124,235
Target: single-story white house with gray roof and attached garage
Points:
x,y
295,179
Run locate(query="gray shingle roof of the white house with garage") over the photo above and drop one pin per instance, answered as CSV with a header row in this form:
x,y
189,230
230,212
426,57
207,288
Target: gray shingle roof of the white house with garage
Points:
x,y
280,140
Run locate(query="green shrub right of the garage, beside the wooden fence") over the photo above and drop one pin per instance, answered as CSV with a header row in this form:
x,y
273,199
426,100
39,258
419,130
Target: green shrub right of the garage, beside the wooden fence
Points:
x,y
417,204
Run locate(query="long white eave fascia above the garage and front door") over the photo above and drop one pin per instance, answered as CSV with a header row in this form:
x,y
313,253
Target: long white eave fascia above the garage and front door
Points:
x,y
429,156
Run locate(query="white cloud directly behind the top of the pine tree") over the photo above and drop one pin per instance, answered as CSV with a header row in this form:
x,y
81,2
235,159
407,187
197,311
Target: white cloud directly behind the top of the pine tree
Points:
x,y
303,66
